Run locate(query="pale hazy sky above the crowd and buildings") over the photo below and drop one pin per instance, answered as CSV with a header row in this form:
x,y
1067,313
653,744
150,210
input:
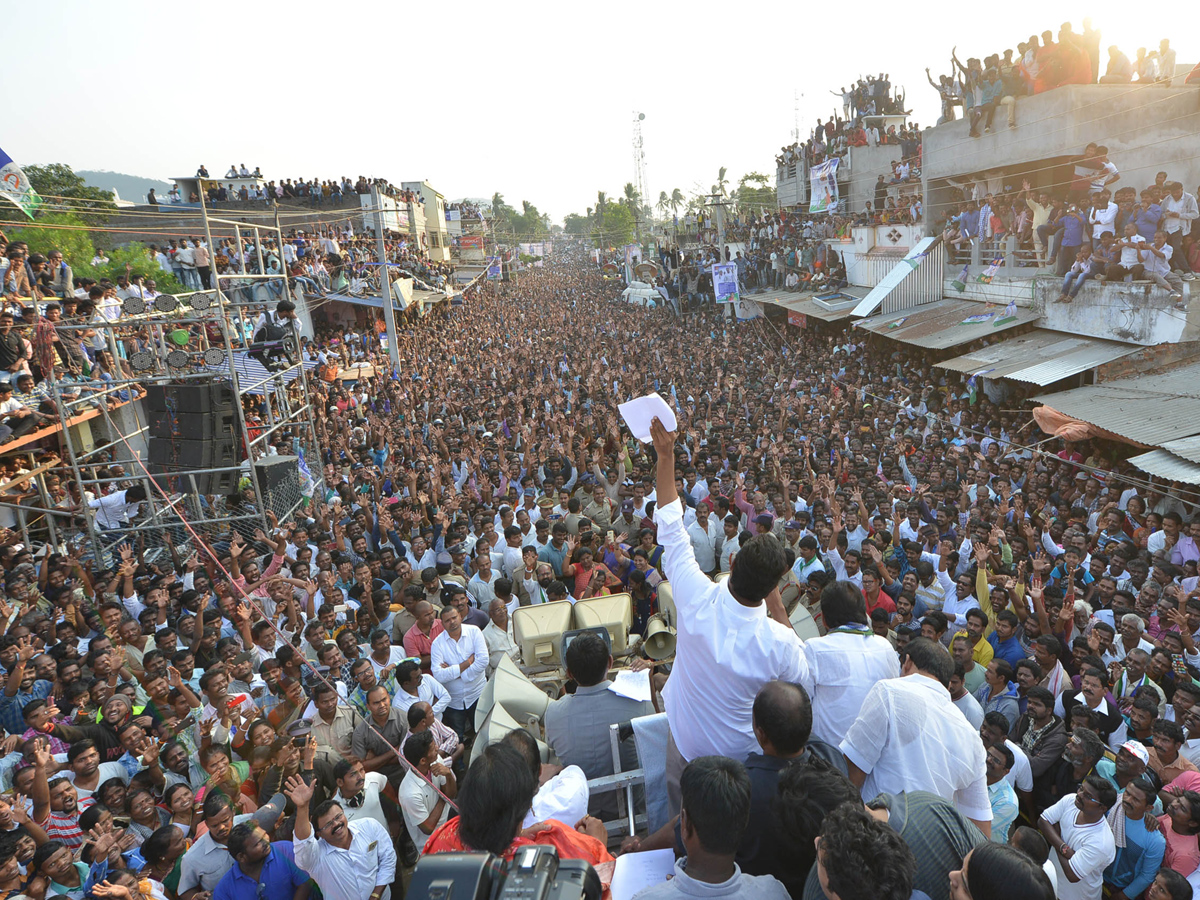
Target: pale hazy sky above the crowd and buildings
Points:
x,y
533,100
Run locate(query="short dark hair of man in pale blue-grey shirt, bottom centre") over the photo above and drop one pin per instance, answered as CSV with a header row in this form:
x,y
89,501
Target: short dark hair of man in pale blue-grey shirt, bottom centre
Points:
x,y
716,797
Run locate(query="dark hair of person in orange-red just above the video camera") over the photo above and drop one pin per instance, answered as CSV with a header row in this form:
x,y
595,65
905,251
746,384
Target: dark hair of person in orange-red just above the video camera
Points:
x,y
494,799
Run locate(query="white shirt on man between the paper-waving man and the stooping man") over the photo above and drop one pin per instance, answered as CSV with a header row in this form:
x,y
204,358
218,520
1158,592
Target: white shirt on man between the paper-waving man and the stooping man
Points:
x,y
843,668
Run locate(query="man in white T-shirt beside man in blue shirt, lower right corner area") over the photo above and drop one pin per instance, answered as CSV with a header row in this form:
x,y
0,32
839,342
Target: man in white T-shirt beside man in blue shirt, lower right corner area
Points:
x,y
1082,843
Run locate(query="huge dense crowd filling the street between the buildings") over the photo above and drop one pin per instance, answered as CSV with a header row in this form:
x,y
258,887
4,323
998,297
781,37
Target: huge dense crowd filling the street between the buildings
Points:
x,y
999,706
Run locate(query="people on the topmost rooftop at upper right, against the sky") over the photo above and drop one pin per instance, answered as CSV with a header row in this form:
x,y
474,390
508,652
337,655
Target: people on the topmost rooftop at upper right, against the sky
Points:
x,y
983,88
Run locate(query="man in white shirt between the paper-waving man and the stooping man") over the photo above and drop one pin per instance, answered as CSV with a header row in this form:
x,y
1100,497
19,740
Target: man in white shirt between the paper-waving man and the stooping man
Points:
x,y
845,664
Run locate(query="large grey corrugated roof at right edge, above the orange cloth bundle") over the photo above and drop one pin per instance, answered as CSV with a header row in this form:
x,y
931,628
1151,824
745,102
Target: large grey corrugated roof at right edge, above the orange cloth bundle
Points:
x,y
1149,410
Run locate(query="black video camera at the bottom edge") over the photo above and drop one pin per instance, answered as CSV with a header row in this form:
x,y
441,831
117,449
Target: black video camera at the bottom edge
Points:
x,y
536,873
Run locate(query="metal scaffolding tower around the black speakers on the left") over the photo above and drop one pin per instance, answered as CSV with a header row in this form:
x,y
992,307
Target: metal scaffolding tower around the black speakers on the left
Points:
x,y
200,339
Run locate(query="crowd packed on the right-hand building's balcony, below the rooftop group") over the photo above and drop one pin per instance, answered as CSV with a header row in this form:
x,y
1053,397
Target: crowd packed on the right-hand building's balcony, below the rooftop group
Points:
x,y
1094,230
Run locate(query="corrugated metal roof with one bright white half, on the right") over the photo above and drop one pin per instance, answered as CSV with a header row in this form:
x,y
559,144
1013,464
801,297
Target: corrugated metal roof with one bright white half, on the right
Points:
x,y
1040,357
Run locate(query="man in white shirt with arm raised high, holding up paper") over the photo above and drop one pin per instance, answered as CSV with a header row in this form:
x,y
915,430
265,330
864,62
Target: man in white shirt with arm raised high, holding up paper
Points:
x,y
728,646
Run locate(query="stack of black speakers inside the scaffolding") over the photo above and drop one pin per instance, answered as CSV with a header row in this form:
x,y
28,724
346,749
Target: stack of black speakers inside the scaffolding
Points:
x,y
195,427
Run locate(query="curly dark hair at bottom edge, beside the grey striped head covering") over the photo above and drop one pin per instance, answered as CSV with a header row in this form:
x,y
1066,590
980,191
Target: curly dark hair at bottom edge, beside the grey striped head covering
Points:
x,y
865,857
